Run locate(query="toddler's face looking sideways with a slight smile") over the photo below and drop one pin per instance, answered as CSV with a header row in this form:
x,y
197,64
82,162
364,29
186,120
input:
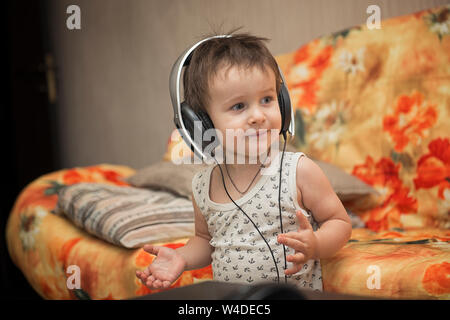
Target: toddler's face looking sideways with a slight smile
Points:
x,y
245,99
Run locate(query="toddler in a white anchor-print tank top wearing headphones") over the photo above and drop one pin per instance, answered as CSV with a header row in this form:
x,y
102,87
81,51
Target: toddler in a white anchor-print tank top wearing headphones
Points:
x,y
236,81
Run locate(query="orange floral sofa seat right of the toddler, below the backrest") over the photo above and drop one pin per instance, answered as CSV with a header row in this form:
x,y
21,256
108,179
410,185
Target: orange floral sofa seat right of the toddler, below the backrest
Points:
x,y
412,264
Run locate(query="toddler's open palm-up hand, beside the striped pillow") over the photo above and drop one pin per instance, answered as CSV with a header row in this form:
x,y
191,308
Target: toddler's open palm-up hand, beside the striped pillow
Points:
x,y
165,268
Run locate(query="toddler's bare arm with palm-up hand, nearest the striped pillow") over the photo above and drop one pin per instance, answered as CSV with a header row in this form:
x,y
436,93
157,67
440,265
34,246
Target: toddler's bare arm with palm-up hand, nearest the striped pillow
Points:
x,y
169,264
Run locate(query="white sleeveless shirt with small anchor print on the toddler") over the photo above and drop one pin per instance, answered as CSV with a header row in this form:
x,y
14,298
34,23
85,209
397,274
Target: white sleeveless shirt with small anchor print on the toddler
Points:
x,y
240,254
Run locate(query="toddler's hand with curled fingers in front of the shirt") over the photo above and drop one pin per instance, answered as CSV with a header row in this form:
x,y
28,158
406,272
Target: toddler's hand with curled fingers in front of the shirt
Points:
x,y
304,242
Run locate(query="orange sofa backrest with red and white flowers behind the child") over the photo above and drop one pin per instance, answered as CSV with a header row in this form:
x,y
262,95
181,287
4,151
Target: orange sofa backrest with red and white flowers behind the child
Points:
x,y
377,106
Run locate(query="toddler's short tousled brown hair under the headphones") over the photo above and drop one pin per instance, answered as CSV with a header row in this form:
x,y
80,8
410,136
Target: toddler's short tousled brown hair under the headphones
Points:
x,y
242,50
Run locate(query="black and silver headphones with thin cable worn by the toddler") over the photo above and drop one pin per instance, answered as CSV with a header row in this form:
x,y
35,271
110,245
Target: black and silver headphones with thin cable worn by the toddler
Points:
x,y
192,124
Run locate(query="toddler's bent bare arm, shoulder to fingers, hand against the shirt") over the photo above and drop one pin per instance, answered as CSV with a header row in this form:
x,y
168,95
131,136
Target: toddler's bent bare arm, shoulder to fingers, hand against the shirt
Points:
x,y
318,196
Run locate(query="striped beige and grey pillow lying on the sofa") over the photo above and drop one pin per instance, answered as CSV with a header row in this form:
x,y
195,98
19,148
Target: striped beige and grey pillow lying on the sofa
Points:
x,y
126,216
